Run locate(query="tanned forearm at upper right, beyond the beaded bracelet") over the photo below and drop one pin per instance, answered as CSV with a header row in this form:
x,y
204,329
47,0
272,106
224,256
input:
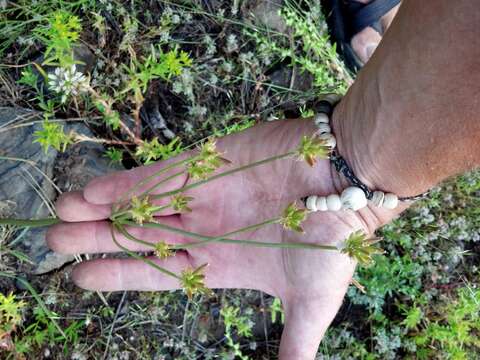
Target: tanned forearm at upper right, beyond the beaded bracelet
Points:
x,y
412,117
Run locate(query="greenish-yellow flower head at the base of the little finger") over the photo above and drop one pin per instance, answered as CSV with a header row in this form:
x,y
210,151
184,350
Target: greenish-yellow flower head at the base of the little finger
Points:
x,y
208,160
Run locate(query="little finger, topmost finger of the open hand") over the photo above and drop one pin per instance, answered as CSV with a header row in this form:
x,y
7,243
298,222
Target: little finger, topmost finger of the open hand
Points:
x,y
110,188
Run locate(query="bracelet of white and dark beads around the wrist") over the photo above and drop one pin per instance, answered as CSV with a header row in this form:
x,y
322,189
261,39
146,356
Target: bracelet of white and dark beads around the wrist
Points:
x,y
353,197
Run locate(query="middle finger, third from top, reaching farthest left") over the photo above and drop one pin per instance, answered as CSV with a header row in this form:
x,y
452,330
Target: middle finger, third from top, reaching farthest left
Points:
x,y
96,237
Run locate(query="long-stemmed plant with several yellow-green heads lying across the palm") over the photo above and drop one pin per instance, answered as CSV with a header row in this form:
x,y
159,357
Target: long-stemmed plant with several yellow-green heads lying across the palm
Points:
x,y
137,208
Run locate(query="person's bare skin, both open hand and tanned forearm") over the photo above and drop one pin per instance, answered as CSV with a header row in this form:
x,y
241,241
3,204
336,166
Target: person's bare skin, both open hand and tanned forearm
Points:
x,y
409,121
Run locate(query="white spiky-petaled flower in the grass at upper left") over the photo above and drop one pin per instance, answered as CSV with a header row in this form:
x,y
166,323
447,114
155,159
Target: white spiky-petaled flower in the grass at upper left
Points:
x,y
67,82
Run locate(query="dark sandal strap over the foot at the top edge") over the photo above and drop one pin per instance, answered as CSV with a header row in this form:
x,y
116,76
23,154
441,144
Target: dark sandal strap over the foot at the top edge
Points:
x,y
369,14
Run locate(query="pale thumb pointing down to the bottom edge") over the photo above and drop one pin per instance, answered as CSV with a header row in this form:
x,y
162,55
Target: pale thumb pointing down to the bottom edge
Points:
x,y
306,321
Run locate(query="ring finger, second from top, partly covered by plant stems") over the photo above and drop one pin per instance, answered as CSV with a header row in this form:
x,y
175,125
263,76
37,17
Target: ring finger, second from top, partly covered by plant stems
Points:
x,y
73,207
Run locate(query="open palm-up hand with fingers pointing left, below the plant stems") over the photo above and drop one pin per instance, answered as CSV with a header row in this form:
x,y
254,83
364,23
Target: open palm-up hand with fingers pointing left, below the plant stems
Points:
x,y
310,283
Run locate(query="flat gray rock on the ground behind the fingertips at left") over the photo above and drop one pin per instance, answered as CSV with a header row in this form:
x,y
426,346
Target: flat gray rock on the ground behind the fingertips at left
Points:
x,y
27,191
